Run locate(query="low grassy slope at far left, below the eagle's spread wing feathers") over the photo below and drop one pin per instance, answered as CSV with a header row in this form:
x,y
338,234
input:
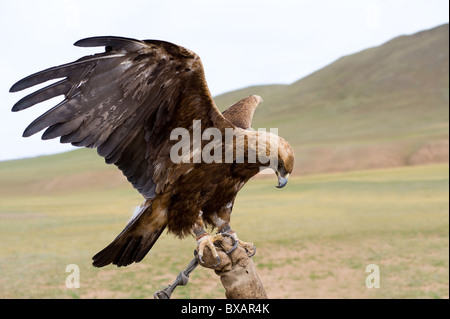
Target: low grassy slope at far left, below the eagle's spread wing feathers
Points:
x,y
60,173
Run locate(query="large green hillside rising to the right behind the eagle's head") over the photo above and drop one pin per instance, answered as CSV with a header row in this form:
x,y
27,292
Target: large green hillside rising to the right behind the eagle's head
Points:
x,y
385,106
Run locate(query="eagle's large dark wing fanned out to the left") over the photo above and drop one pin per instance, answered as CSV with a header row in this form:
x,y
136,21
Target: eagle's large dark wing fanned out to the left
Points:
x,y
124,102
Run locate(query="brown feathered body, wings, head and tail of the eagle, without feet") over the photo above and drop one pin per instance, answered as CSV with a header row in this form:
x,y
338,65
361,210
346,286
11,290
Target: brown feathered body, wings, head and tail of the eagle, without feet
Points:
x,y
126,102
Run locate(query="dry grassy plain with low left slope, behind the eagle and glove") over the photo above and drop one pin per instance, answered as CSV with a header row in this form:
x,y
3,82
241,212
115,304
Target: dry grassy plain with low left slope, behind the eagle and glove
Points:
x,y
315,237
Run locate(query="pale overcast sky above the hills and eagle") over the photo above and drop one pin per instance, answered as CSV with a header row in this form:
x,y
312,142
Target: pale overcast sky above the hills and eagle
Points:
x,y
241,42
